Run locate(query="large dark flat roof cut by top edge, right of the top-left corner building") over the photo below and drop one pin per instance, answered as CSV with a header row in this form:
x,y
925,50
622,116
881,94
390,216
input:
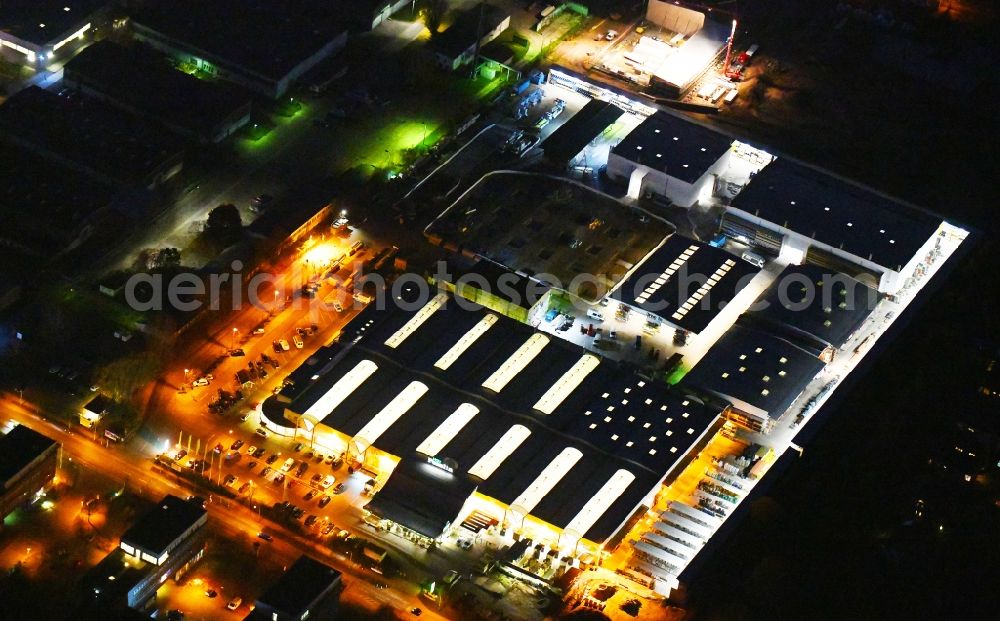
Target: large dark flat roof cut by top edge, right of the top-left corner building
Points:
x,y
267,37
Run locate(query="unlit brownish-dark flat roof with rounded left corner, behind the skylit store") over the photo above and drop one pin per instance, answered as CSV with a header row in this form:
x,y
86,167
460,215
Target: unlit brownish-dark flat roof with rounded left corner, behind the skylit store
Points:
x,y
553,228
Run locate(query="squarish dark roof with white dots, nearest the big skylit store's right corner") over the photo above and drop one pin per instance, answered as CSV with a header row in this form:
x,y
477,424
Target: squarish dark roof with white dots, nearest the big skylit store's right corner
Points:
x,y
754,369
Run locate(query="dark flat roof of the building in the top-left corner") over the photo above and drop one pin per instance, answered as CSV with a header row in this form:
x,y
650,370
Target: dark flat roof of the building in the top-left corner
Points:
x,y
42,21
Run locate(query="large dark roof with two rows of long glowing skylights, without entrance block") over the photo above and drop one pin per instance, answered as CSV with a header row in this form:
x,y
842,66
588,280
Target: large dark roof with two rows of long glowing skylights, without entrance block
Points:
x,y
505,402
